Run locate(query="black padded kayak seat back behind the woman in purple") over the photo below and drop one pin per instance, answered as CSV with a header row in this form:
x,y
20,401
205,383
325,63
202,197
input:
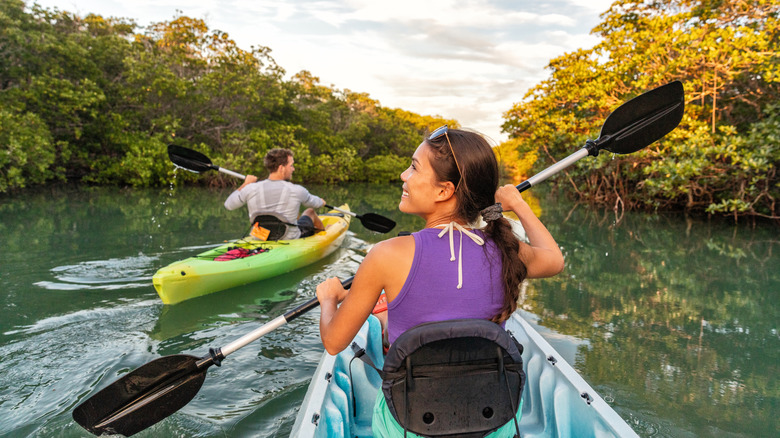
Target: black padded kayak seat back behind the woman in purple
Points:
x,y
459,378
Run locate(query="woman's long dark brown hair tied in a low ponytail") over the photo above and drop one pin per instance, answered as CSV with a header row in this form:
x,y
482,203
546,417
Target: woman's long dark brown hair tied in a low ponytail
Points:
x,y
476,190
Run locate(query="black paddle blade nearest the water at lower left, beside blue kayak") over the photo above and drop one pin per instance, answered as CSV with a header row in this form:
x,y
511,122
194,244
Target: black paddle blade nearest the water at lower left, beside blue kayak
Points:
x,y
147,395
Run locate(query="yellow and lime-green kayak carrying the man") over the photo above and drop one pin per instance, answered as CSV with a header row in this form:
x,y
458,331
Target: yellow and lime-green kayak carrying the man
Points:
x,y
201,274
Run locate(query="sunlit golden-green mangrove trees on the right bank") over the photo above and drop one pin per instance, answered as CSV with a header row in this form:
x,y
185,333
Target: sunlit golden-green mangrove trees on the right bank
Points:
x,y
723,157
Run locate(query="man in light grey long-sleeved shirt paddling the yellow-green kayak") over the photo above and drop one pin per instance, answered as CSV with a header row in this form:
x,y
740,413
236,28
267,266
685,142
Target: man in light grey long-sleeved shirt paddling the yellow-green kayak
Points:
x,y
277,196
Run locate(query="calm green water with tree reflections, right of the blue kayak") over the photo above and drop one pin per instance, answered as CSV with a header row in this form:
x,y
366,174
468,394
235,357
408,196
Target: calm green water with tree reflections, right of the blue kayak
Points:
x,y
680,314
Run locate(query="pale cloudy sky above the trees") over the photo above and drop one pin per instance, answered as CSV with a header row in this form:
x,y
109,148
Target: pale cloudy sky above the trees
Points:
x,y
468,60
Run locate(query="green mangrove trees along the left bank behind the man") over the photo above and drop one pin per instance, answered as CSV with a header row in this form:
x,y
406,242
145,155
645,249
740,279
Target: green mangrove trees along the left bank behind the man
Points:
x,y
110,98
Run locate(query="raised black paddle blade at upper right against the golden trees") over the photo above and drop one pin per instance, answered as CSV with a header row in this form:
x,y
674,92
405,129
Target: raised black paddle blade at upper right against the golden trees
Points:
x,y
643,119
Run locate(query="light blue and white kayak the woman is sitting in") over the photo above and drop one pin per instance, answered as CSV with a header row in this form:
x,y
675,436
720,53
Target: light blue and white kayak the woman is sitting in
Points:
x,y
556,399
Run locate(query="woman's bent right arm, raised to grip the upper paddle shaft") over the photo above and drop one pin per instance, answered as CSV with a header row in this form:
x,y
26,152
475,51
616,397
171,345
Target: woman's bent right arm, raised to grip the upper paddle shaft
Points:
x,y
541,255
